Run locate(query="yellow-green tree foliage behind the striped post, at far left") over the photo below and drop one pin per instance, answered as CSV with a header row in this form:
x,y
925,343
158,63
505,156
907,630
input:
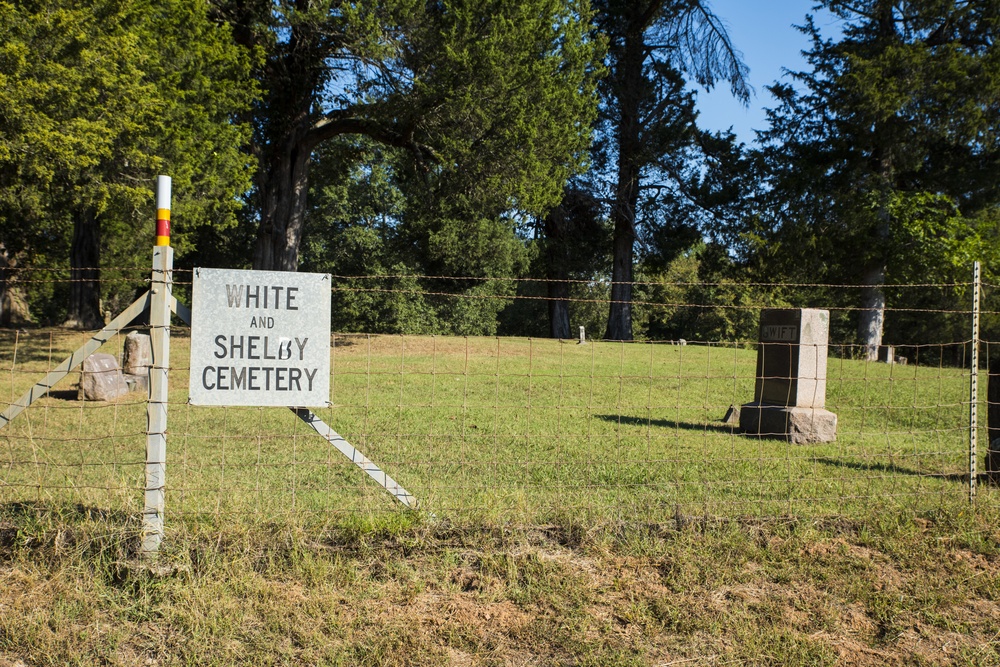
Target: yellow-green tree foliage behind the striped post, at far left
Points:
x,y
97,99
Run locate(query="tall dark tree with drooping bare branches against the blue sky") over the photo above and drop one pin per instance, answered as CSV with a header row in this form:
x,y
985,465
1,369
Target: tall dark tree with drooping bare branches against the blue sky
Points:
x,y
648,118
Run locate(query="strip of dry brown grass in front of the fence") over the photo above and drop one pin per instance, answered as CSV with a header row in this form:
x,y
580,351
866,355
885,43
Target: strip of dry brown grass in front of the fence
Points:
x,y
888,591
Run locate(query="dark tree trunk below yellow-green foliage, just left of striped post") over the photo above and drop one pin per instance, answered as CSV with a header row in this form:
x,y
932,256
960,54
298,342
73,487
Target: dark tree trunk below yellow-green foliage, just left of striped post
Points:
x,y
85,272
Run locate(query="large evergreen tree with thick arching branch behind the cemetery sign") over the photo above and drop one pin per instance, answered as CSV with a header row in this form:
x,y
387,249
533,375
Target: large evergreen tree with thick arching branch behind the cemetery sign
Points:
x,y
491,102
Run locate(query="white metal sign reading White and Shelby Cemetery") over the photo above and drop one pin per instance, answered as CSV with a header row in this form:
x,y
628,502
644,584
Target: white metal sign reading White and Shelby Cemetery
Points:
x,y
260,338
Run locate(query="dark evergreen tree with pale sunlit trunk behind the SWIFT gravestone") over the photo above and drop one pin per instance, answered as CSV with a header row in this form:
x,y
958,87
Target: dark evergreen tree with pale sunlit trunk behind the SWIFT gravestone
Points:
x,y
883,155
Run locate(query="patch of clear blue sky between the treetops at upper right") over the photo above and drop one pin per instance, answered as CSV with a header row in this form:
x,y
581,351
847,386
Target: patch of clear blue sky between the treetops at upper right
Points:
x,y
763,30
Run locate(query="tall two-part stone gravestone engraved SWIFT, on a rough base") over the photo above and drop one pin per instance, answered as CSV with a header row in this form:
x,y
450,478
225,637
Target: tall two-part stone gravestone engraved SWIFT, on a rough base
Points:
x,y
790,392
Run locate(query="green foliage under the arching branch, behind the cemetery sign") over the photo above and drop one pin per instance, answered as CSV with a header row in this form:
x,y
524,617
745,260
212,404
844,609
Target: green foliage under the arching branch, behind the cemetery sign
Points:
x,y
384,251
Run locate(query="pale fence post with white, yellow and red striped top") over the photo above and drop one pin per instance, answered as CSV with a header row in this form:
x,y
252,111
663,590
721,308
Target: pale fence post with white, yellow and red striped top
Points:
x,y
156,407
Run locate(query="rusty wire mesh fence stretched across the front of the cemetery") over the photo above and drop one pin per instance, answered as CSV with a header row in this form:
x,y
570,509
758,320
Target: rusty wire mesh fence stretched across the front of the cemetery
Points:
x,y
529,429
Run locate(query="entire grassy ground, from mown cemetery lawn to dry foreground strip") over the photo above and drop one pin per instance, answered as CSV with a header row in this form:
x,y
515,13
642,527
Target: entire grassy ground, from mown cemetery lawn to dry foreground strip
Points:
x,y
580,505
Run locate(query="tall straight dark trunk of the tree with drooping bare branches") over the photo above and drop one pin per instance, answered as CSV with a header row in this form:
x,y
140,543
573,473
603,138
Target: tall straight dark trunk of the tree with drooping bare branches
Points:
x,y
629,85
